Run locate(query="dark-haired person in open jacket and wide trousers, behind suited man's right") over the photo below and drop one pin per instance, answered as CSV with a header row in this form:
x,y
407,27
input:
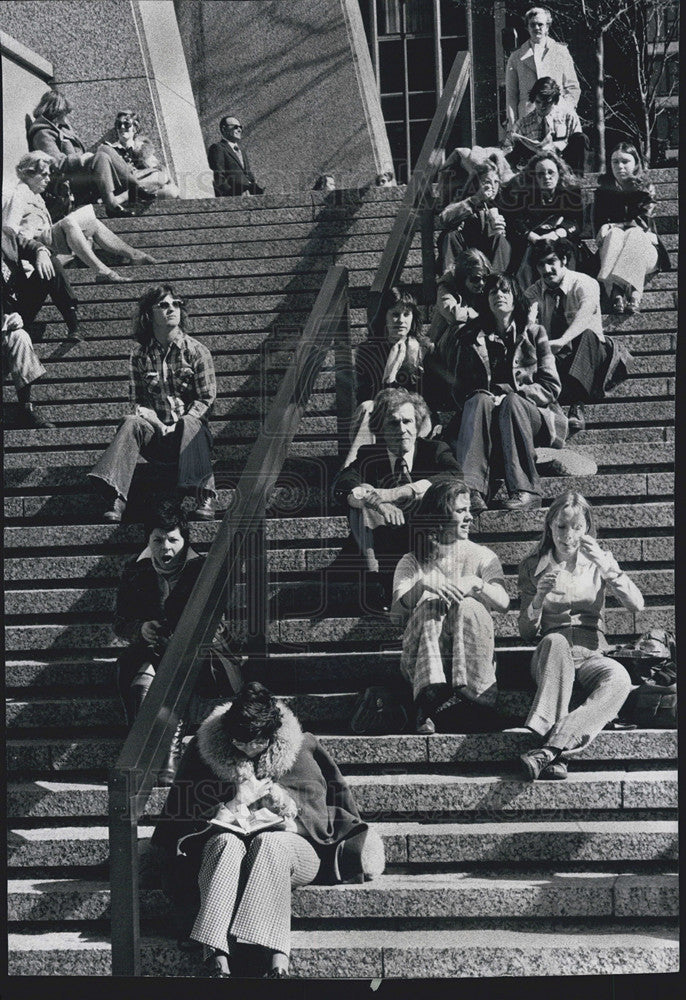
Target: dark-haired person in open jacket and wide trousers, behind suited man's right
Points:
x,y
505,388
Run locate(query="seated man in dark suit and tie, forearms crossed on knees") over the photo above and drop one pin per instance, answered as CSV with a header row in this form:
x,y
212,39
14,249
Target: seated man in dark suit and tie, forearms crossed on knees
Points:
x,y
384,485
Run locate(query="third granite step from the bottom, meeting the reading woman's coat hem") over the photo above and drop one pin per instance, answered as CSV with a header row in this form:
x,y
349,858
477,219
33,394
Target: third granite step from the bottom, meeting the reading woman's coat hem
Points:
x,y
414,844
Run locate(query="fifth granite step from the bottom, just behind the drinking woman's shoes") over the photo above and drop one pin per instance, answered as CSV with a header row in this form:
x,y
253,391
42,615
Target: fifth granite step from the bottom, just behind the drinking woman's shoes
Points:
x,y
58,755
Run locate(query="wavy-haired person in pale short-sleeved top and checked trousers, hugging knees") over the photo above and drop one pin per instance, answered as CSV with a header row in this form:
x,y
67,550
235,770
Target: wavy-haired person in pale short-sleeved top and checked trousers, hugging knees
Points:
x,y
444,592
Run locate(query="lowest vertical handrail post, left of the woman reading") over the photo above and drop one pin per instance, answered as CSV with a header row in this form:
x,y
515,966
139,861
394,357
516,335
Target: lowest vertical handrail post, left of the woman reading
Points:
x,y
124,896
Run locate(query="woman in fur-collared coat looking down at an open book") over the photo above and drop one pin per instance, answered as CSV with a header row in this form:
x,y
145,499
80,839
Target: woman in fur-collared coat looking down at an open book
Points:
x,y
253,754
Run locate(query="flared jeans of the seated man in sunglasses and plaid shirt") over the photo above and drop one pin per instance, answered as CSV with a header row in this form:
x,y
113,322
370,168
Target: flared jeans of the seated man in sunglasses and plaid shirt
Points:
x,y
188,446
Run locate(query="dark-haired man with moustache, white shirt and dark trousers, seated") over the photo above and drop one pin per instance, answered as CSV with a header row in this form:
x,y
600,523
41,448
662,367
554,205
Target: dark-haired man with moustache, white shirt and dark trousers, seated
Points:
x,y
569,310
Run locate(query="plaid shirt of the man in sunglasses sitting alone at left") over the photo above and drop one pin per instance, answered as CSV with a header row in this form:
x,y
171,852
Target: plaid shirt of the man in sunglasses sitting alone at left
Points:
x,y
174,383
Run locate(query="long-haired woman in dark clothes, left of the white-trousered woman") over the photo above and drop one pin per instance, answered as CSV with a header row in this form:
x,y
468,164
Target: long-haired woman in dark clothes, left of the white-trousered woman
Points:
x,y
544,201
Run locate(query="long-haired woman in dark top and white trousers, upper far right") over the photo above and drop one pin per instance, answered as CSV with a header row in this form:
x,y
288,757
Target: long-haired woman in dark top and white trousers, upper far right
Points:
x,y
629,247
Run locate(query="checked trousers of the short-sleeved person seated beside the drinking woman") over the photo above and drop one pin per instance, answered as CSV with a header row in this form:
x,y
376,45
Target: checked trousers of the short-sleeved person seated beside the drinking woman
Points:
x,y
460,638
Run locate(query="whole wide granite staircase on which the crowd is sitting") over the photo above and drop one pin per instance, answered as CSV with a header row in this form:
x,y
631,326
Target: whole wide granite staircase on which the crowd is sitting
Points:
x,y
487,875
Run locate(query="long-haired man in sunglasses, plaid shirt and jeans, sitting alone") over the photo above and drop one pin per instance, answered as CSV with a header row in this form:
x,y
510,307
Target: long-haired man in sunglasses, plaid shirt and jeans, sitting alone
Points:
x,y
172,388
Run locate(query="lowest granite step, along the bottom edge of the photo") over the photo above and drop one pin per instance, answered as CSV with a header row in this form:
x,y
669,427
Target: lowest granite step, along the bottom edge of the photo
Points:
x,y
559,949
